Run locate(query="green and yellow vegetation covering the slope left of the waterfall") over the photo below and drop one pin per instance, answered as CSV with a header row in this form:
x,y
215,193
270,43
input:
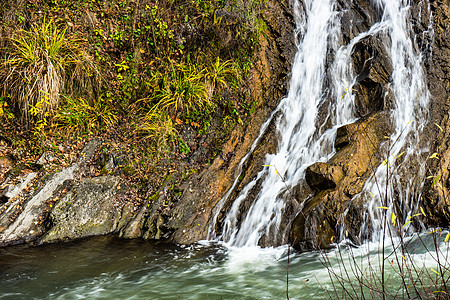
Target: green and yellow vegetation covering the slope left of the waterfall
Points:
x,y
153,78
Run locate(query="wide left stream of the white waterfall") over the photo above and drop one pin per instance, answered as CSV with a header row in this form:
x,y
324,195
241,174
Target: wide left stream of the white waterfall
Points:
x,y
297,127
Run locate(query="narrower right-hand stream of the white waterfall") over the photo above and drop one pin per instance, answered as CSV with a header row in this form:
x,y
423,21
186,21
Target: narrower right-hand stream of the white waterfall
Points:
x,y
409,115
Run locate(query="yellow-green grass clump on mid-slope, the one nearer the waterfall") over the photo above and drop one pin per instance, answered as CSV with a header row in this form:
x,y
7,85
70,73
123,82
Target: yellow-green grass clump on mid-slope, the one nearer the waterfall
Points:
x,y
187,93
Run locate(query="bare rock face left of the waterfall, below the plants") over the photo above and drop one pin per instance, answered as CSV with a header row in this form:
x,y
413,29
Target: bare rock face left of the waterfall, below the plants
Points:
x,y
48,201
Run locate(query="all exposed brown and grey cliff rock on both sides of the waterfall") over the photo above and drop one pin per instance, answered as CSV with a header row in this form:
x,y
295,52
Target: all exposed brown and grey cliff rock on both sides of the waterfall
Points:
x,y
72,203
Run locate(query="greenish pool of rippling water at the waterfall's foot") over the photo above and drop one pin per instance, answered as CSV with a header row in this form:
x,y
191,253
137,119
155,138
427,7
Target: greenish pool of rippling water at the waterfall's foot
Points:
x,y
112,268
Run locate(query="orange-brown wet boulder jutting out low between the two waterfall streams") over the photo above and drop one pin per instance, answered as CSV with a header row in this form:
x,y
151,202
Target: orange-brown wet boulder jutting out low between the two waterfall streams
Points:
x,y
337,182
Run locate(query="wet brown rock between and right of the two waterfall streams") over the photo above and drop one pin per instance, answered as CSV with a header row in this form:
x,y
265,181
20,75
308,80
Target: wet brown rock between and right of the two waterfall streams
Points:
x,y
316,225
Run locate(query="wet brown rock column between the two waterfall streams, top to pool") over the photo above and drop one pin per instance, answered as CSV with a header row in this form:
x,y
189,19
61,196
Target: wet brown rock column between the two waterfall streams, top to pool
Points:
x,y
338,180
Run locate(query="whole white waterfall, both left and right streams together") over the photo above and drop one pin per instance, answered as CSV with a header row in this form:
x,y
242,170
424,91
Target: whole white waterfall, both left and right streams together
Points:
x,y
306,138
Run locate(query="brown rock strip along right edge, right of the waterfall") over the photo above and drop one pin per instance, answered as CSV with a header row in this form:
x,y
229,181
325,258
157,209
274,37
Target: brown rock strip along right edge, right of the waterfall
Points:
x,y
434,42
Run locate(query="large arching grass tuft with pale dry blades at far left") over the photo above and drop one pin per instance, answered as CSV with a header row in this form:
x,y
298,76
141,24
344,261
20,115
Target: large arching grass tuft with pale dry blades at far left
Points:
x,y
39,61
